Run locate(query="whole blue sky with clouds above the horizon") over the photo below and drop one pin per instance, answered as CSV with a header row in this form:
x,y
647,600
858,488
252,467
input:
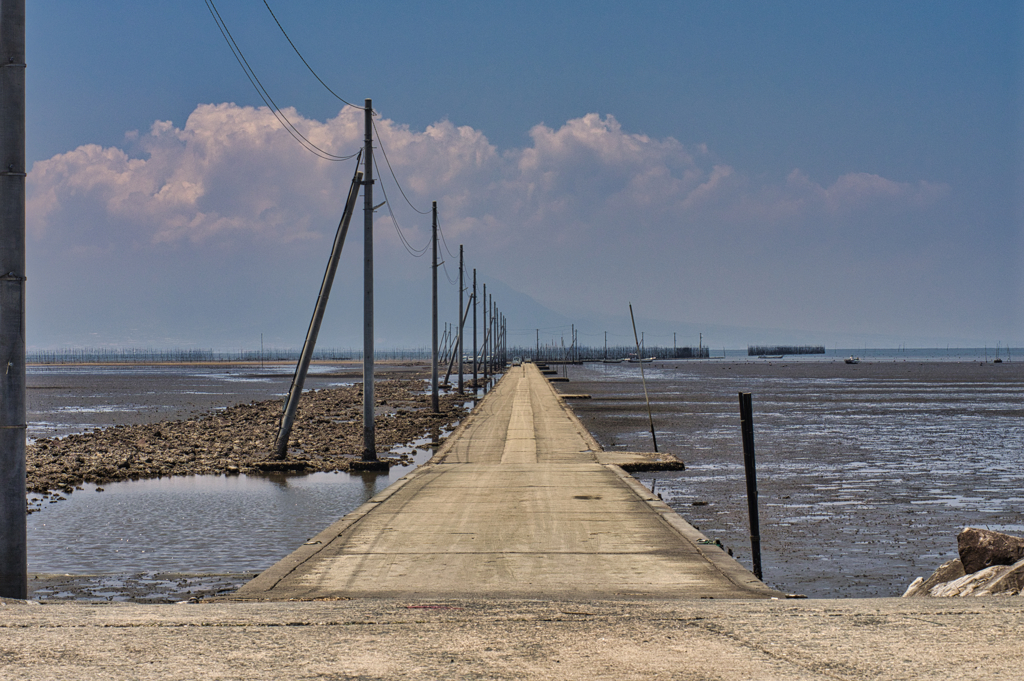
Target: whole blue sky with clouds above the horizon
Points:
x,y
843,174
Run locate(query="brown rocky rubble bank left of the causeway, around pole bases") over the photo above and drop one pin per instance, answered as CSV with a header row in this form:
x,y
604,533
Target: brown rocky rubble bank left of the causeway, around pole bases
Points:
x,y
327,437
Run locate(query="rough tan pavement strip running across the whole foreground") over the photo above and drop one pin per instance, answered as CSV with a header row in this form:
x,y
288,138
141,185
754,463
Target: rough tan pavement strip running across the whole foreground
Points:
x,y
517,640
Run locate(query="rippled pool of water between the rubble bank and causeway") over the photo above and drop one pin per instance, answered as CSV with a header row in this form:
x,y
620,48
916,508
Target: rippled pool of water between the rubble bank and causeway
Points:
x,y
196,525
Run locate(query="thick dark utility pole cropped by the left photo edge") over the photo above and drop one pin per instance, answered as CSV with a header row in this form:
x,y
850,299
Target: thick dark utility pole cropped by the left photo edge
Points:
x,y
14,543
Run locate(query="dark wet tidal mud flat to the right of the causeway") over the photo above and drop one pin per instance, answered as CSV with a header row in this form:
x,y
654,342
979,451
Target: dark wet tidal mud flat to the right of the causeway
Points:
x,y
866,473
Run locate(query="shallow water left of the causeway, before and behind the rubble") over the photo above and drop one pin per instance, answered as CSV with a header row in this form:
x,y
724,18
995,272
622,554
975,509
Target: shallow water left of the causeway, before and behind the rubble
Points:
x,y
215,525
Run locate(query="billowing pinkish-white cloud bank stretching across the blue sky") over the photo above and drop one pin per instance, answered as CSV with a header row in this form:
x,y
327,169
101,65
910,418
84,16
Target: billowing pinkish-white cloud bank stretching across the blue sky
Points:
x,y
234,172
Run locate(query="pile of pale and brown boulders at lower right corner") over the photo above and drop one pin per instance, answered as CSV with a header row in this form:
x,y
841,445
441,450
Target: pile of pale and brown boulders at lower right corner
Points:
x,y
990,564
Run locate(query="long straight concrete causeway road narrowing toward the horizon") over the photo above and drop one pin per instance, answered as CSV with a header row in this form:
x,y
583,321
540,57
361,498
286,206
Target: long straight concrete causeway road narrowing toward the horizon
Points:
x,y
521,502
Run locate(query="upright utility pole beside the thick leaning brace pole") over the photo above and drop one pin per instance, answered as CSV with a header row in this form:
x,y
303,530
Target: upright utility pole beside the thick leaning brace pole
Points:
x,y
369,432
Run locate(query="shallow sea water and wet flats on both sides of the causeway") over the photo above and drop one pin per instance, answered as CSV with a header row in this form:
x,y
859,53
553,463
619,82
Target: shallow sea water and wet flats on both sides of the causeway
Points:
x,y
864,481
